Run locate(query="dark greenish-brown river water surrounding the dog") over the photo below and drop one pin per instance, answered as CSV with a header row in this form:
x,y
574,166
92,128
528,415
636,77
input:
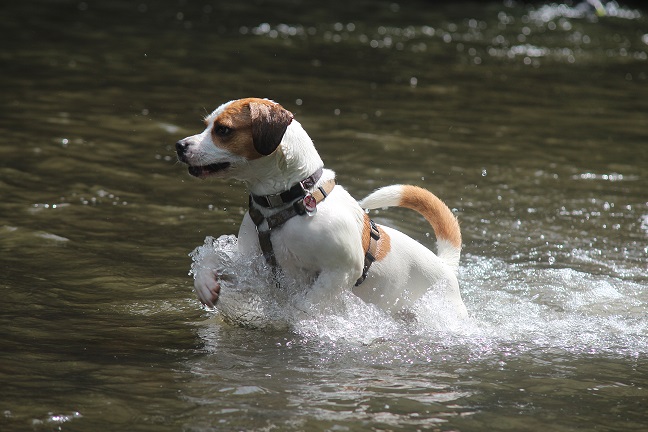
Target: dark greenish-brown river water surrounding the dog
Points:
x,y
531,121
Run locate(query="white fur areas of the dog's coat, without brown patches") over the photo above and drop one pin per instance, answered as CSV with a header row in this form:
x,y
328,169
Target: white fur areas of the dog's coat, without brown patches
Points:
x,y
327,249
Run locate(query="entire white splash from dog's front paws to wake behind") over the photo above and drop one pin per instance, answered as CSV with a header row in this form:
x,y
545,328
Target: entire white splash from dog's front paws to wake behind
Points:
x,y
513,307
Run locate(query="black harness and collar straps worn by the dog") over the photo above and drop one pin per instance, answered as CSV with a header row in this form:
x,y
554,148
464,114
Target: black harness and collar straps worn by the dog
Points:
x,y
304,198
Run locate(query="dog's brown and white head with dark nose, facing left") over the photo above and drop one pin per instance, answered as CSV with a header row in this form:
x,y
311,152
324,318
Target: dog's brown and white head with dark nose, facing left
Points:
x,y
237,132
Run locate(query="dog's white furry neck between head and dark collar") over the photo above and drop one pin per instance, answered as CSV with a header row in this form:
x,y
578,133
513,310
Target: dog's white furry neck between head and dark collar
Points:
x,y
294,160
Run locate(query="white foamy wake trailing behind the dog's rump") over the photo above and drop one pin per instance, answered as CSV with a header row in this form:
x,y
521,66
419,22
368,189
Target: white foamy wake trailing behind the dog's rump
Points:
x,y
557,308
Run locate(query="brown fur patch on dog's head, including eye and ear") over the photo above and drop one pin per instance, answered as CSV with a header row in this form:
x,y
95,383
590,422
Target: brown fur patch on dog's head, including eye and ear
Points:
x,y
251,127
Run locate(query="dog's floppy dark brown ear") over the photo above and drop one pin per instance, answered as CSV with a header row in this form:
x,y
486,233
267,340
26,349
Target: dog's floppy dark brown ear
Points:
x,y
269,124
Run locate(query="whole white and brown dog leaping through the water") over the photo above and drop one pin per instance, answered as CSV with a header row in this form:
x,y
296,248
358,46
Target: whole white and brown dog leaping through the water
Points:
x,y
307,226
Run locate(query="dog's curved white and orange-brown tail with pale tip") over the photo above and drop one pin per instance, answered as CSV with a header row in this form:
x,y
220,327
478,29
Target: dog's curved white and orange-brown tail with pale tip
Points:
x,y
444,223
